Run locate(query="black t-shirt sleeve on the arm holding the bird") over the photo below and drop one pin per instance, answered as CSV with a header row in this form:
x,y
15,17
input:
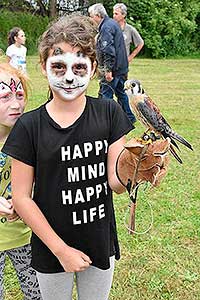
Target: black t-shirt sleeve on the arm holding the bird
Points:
x,y
120,123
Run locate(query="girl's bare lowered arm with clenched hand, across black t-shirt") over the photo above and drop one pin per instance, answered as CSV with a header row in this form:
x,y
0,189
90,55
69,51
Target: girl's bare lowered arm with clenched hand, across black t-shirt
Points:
x,y
22,177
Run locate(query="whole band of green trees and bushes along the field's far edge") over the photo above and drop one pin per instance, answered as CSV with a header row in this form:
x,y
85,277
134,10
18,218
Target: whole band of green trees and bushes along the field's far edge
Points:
x,y
168,27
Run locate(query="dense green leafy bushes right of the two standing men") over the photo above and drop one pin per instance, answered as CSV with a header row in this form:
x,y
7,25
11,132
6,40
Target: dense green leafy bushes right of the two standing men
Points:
x,y
169,27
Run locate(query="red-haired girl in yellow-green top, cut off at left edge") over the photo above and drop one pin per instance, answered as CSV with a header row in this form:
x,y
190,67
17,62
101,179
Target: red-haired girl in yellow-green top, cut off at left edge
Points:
x,y
14,233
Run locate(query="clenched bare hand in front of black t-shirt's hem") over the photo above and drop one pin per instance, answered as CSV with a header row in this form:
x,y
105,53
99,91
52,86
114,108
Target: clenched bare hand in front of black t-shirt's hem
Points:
x,y
73,260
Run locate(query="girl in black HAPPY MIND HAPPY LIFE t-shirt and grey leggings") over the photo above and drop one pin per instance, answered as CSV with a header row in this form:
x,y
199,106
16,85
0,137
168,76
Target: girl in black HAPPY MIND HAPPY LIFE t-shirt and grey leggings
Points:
x,y
66,151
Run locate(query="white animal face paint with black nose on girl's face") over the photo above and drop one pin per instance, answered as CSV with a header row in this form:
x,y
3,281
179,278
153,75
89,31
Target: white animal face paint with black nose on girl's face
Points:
x,y
68,74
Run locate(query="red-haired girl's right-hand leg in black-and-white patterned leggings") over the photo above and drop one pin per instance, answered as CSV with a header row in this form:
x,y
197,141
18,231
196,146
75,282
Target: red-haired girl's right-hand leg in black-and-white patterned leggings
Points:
x,y
21,260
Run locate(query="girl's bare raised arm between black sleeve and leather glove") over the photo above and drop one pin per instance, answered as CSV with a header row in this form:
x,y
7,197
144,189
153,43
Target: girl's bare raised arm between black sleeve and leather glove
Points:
x,y
113,153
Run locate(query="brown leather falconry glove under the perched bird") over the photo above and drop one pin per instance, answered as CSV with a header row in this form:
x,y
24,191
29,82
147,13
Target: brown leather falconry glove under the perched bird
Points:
x,y
143,162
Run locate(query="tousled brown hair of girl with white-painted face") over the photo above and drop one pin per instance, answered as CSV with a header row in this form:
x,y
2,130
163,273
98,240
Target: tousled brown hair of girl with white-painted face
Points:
x,y
76,30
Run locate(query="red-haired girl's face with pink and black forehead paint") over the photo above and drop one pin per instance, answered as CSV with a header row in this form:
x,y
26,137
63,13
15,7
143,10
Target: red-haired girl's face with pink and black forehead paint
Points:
x,y
12,99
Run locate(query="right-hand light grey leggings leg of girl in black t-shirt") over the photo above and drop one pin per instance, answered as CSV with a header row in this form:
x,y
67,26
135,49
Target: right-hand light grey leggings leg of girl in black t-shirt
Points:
x,y
94,283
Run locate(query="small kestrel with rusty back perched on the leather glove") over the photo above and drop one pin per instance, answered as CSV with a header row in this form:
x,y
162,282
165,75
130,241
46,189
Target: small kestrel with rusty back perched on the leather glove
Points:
x,y
149,114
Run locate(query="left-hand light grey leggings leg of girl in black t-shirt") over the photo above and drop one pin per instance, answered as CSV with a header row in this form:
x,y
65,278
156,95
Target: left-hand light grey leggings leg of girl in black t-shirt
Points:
x,y
56,285
